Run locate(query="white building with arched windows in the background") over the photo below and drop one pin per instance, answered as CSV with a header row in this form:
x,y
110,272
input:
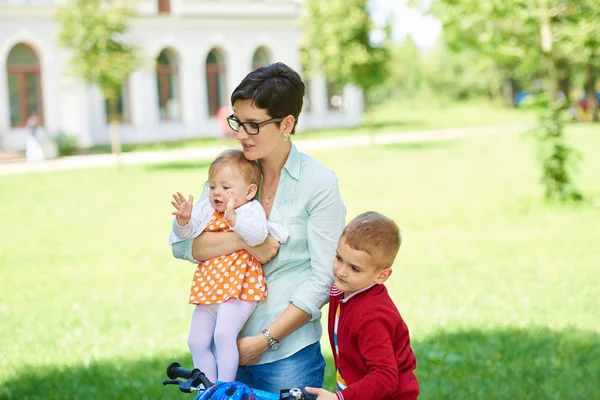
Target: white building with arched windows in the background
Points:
x,y
196,52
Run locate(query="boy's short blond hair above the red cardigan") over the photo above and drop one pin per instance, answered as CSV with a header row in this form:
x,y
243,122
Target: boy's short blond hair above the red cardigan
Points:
x,y
376,235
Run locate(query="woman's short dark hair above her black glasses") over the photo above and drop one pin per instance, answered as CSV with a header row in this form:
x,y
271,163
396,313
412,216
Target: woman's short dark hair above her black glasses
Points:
x,y
276,88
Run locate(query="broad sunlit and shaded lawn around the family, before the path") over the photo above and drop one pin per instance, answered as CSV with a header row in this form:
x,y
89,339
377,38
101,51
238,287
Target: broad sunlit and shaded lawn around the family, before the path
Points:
x,y
500,290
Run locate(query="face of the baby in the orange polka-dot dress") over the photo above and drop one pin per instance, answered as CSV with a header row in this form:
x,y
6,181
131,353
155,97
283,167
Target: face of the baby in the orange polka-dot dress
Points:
x,y
227,180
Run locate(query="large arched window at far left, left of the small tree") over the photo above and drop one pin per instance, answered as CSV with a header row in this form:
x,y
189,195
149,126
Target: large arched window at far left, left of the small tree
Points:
x,y
24,84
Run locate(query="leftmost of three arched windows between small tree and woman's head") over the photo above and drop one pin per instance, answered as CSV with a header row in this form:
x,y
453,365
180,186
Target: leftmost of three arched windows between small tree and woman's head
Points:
x,y
167,79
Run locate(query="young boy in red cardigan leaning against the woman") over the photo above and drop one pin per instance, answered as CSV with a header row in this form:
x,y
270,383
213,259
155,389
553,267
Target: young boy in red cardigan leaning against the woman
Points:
x,y
369,339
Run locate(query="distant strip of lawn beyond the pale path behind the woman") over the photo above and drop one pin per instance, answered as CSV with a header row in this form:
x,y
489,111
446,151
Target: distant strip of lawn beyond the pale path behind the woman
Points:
x,y
390,117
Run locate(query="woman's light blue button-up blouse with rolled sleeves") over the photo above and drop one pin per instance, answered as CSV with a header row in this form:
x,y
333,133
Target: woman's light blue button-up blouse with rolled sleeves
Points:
x,y
309,205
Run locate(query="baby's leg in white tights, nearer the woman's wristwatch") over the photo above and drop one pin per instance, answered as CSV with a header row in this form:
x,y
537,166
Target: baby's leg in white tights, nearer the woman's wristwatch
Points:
x,y
232,316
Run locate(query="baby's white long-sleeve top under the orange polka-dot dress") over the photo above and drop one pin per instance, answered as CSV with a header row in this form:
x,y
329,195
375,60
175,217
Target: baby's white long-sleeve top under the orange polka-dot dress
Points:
x,y
251,224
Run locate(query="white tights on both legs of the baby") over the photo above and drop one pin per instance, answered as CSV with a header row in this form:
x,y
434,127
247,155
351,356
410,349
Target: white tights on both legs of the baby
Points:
x,y
224,329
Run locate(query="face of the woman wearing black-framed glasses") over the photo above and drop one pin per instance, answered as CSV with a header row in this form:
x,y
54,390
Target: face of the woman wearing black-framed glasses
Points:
x,y
269,140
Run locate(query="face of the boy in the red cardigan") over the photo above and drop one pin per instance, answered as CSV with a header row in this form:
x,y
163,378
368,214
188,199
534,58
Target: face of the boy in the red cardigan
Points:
x,y
354,270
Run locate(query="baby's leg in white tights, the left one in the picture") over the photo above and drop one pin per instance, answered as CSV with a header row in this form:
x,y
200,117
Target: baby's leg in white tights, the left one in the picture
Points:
x,y
200,339
